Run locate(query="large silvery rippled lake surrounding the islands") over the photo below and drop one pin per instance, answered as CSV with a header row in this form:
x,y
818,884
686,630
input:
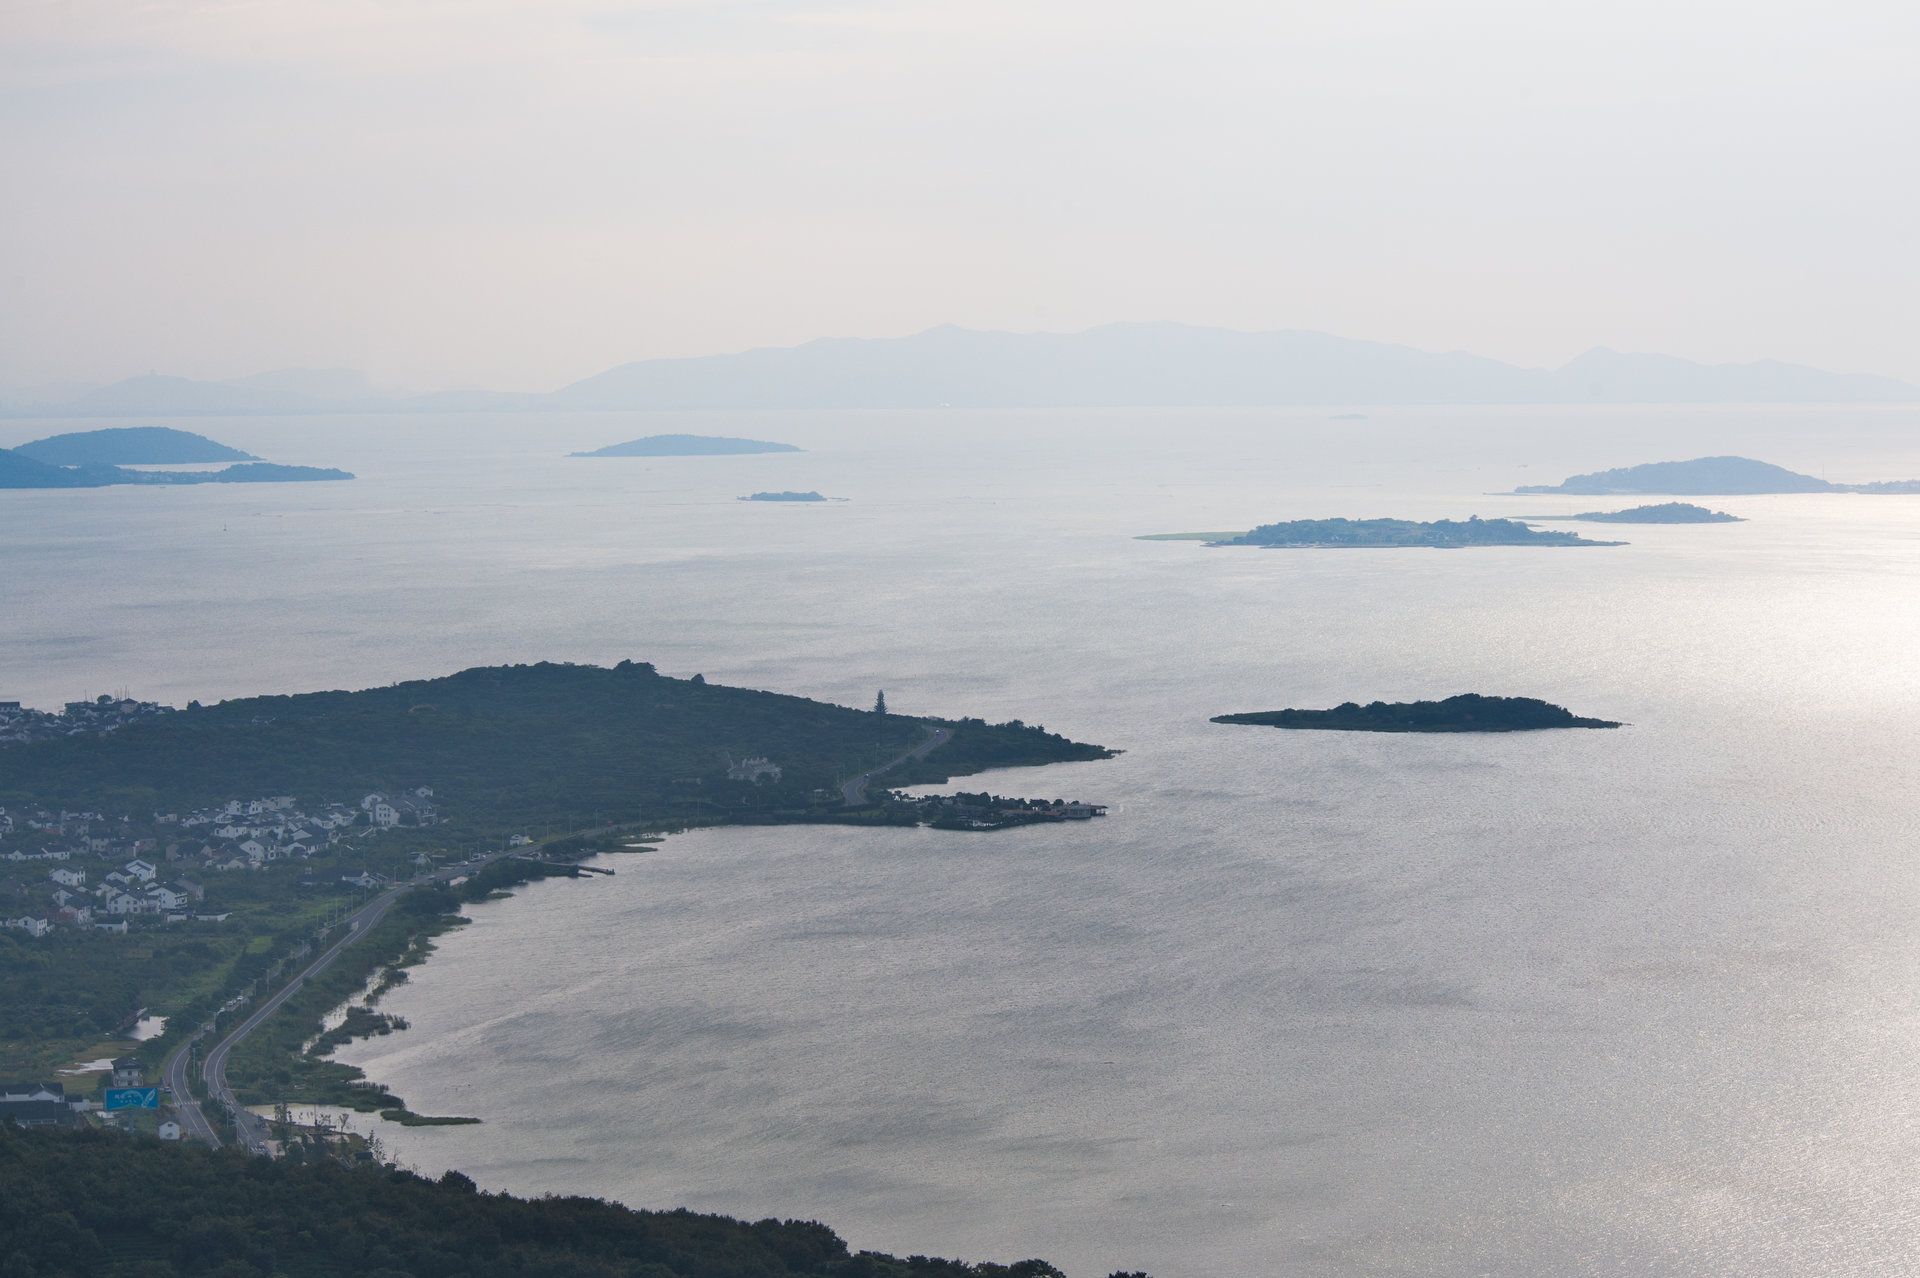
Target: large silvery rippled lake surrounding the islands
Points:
x,y
1589,1003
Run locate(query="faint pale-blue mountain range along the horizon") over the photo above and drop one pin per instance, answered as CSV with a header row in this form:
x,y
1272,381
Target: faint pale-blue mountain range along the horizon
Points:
x,y
1116,366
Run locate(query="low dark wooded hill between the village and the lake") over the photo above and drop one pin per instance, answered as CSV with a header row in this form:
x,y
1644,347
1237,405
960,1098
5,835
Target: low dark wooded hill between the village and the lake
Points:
x,y
508,747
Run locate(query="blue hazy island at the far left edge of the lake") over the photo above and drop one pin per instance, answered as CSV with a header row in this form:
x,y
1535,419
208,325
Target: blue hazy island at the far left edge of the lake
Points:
x,y
99,460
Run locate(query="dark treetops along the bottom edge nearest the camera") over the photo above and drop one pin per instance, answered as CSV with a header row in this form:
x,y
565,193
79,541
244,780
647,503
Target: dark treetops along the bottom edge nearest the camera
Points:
x,y
108,1206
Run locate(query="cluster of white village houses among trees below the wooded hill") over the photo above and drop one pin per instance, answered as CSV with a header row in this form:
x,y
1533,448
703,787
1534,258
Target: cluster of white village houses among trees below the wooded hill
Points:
x,y
85,870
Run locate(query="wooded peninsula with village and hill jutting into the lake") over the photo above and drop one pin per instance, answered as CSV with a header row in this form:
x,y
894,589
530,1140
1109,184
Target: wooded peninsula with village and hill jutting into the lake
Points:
x,y
170,861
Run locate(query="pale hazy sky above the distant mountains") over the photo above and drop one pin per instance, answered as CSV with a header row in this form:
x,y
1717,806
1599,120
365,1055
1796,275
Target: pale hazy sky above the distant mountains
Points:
x,y
521,193
